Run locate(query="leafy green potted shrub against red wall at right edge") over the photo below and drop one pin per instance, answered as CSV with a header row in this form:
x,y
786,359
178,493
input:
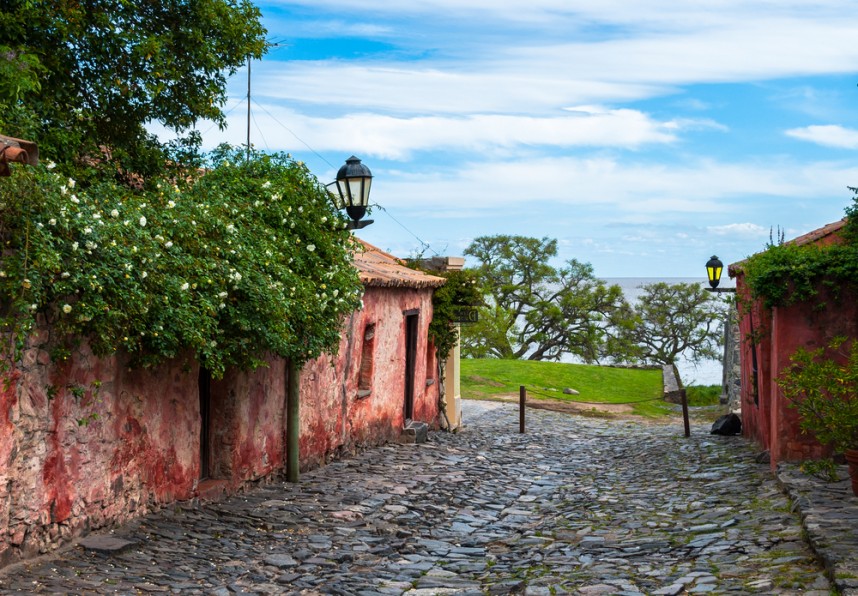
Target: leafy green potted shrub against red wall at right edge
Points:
x,y
822,385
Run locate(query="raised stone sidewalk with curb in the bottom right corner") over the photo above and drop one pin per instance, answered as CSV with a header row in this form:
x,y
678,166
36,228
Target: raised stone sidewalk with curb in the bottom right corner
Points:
x,y
829,516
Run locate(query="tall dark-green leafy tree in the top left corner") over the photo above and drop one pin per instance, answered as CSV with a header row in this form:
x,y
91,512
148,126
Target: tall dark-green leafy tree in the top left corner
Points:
x,y
87,76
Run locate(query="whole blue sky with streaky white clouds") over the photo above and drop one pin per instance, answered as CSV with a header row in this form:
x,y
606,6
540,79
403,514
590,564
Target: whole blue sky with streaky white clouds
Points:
x,y
644,135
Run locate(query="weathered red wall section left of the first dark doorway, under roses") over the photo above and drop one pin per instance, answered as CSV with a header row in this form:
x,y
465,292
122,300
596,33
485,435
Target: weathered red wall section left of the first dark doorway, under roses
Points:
x,y
76,462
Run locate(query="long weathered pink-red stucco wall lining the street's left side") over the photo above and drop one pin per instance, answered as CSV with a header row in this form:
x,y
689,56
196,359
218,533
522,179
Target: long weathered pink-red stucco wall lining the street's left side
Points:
x,y
130,440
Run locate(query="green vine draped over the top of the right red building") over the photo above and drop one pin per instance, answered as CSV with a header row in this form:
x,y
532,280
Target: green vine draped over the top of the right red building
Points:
x,y
785,274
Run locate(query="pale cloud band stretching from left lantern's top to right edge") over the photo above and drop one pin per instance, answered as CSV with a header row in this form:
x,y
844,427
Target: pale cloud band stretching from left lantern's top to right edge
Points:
x,y
620,189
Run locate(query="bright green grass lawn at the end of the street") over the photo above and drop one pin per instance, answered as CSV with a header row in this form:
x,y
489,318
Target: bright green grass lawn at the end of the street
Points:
x,y
490,379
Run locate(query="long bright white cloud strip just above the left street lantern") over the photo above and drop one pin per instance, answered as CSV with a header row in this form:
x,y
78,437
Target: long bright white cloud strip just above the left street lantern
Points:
x,y
397,138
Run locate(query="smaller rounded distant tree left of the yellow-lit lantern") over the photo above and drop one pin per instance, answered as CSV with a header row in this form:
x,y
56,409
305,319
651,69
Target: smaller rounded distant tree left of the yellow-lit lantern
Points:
x,y
674,320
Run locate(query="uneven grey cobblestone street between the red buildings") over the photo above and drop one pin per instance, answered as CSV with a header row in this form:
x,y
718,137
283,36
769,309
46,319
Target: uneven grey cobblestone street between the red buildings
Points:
x,y
577,505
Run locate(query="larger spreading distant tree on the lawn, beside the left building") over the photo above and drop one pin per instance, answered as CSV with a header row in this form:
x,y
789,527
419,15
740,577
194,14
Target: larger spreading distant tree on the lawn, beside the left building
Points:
x,y
535,311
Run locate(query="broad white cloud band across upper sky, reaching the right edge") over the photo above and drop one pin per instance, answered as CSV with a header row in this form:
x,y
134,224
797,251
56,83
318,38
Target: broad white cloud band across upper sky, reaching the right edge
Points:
x,y
482,76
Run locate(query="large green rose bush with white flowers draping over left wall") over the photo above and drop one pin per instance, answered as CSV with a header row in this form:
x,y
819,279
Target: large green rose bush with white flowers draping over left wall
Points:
x,y
245,260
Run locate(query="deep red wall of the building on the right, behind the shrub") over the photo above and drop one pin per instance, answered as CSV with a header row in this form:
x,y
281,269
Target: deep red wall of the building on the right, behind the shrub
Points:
x,y
780,332
